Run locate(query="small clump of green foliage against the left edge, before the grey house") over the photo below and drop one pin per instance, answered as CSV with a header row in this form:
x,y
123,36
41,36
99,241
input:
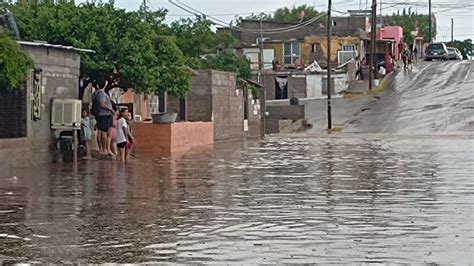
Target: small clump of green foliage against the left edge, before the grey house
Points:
x,y
14,64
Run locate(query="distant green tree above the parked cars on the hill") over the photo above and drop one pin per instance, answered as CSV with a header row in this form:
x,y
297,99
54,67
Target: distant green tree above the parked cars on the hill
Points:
x,y
411,21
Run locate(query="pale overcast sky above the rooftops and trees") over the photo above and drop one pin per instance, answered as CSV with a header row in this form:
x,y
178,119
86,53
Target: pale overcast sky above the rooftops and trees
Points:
x,y
461,10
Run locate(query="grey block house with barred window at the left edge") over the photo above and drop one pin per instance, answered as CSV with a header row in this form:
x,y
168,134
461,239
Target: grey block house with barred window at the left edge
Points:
x,y
25,125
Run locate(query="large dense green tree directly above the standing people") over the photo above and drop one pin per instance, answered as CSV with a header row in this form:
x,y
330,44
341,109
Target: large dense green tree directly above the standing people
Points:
x,y
121,40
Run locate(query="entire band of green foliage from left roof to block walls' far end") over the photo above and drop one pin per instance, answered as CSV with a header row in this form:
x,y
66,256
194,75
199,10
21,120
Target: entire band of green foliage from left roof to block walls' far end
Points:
x,y
150,55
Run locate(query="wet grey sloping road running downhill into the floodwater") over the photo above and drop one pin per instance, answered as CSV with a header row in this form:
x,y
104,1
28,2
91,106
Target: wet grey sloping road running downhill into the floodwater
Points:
x,y
435,97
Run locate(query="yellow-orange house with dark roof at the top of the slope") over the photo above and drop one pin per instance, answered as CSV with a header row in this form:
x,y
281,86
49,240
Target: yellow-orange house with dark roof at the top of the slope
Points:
x,y
297,45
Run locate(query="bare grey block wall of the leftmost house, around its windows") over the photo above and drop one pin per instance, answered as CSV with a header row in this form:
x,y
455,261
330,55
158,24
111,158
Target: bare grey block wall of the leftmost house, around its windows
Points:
x,y
60,78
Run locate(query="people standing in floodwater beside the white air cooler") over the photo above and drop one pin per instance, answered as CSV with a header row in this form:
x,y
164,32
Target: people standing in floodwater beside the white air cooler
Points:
x,y
114,137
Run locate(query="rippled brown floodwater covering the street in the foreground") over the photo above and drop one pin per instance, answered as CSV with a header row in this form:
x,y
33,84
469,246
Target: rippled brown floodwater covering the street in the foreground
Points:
x,y
349,198
